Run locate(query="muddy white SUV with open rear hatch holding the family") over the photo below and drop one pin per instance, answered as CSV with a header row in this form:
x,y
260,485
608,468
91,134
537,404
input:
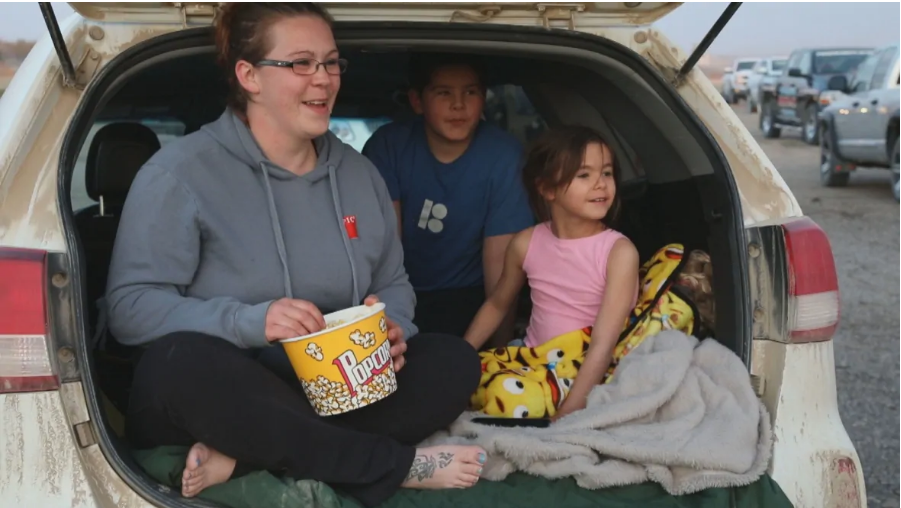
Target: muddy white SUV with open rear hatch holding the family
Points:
x,y
691,173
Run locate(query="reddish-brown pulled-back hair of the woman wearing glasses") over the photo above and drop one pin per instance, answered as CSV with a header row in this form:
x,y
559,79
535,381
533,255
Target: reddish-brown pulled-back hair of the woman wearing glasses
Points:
x,y
241,31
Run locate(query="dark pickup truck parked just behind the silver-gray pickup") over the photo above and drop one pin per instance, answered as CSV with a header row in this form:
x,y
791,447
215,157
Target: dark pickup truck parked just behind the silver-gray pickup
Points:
x,y
793,100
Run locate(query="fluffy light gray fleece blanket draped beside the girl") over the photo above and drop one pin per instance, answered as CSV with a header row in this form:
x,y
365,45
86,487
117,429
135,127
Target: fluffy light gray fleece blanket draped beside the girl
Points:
x,y
680,412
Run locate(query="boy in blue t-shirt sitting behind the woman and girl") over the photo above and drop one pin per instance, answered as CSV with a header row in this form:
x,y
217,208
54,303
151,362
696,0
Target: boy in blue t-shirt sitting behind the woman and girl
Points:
x,y
456,185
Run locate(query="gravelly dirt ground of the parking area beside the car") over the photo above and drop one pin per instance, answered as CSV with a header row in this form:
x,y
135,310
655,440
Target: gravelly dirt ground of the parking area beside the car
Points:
x,y
862,223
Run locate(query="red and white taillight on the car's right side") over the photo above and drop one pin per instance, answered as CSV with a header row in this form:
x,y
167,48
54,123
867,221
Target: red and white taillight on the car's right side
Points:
x,y
814,302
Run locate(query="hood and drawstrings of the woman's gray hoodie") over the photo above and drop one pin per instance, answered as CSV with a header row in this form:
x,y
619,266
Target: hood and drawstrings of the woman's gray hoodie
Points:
x,y
237,139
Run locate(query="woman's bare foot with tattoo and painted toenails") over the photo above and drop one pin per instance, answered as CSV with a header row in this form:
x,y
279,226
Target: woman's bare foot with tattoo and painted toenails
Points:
x,y
446,467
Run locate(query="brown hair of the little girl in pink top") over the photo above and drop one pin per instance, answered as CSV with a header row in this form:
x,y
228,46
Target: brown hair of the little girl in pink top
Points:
x,y
553,161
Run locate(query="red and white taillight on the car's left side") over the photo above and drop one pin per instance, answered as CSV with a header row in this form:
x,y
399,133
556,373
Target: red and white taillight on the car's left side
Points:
x,y
24,359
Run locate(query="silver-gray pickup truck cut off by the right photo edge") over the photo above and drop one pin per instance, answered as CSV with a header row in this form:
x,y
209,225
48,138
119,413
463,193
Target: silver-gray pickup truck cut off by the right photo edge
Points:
x,y
861,128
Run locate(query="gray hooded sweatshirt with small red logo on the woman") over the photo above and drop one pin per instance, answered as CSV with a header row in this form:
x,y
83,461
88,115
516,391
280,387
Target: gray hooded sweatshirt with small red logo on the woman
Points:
x,y
212,233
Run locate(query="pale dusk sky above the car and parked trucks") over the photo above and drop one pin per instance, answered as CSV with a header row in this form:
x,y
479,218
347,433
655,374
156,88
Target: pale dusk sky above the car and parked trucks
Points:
x,y
785,25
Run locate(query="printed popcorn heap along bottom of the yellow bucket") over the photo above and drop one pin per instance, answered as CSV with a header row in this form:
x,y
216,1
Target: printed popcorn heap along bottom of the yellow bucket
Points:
x,y
332,398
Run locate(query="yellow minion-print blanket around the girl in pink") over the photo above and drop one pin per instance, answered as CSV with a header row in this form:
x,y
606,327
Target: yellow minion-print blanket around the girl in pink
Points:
x,y
524,382
